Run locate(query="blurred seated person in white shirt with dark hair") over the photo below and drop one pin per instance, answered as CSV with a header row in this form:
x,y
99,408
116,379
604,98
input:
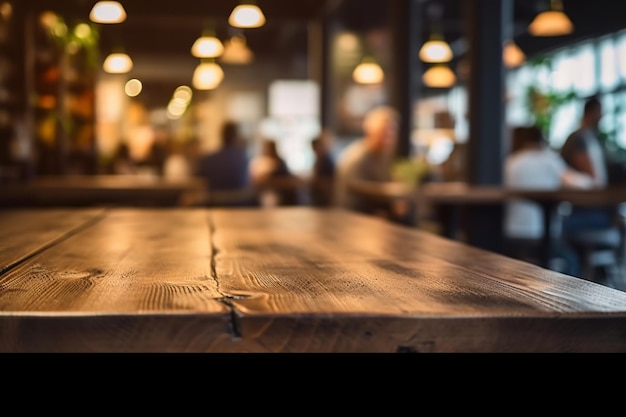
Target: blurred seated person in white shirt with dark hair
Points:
x,y
534,165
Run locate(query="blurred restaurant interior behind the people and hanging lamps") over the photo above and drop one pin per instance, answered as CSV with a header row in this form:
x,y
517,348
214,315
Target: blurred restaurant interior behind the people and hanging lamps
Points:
x,y
62,112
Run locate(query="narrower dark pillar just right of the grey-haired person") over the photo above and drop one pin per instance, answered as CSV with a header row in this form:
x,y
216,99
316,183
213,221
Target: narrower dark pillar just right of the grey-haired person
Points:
x,y
405,27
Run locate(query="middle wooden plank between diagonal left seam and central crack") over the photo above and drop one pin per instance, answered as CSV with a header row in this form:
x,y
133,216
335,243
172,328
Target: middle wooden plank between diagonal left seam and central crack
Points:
x,y
103,287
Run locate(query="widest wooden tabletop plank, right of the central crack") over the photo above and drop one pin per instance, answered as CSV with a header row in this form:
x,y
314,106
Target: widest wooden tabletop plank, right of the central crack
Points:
x,y
371,277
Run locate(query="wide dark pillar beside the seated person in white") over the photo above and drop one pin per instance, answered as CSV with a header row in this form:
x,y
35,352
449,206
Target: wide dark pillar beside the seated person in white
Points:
x,y
487,24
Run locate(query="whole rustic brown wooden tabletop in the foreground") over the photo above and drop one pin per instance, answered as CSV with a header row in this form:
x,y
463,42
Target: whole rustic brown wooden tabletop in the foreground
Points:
x,y
292,279
